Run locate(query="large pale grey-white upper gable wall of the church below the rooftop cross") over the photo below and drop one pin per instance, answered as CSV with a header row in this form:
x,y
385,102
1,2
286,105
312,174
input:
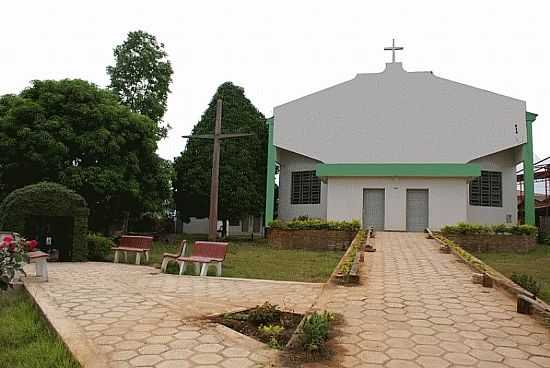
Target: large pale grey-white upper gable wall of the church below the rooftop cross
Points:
x,y
394,116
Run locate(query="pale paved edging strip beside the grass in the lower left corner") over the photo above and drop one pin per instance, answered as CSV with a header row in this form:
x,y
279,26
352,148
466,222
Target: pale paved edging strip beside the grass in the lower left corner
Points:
x,y
70,333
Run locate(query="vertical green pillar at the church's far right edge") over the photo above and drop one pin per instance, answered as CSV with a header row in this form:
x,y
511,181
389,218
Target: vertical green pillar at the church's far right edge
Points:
x,y
528,171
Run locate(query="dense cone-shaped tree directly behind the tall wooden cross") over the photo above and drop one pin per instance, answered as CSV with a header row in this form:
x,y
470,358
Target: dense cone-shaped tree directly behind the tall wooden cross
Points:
x,y
242,161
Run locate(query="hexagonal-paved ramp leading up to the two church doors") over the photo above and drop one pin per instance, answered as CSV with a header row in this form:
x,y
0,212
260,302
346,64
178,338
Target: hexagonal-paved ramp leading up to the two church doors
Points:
x,y
419,308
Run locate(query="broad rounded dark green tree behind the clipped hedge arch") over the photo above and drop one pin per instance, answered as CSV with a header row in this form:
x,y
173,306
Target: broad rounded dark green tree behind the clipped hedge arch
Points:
x,y
79,135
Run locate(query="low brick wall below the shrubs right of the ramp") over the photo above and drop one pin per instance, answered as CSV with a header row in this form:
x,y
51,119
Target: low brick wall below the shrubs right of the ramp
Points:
x,y
492,242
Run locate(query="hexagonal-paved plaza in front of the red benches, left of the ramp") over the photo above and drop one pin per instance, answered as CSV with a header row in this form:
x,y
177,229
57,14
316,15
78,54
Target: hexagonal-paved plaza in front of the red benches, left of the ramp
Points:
x,y
119,315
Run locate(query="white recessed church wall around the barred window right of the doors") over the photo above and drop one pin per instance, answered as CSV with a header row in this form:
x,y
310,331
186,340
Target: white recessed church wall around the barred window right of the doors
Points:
x,y
505,162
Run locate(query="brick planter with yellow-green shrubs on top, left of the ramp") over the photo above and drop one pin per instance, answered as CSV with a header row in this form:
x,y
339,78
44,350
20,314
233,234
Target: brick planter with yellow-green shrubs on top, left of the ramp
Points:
x,y
312,234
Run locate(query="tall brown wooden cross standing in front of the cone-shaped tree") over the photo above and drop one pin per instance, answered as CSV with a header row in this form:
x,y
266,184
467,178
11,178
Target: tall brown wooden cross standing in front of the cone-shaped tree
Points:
x,y
214,185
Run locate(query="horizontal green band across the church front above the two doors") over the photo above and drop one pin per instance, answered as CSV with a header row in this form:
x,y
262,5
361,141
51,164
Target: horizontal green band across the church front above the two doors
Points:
x,y
430,170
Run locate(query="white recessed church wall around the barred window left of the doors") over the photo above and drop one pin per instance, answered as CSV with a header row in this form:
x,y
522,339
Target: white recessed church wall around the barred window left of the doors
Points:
x,y
290,162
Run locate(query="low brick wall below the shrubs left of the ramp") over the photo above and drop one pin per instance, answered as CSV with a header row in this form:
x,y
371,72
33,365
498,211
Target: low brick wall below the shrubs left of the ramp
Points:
x,y
309,239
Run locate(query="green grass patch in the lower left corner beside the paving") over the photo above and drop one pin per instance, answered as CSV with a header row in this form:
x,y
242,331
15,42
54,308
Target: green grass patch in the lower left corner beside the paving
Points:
x,y
26,341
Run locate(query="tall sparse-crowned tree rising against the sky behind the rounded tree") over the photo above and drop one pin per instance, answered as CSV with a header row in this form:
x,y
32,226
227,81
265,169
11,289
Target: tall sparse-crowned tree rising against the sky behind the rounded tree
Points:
x,y
142,75
